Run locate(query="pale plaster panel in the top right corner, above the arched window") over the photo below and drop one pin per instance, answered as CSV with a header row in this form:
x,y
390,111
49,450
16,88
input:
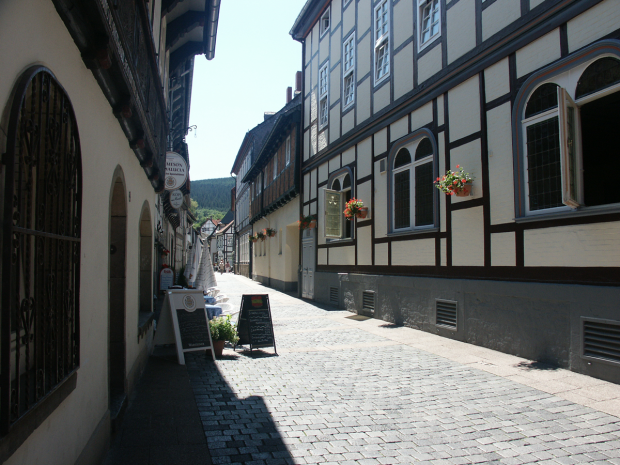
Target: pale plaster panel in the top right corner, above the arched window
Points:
x,y
593,24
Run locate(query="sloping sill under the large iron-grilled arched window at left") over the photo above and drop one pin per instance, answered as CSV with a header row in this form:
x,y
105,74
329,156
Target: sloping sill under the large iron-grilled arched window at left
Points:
x,y
26,425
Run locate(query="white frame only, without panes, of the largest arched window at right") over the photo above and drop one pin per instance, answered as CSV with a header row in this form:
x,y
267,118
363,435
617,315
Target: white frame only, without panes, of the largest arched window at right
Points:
x,y
567,85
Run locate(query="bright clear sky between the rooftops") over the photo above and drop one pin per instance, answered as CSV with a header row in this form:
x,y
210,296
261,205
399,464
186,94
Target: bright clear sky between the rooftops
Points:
x,y
255,61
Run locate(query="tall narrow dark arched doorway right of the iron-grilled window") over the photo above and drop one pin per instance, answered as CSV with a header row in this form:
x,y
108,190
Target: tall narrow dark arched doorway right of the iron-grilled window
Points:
x,y
117,284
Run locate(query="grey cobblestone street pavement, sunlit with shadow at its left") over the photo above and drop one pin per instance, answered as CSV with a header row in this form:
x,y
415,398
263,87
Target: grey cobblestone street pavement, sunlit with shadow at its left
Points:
x,y
339,394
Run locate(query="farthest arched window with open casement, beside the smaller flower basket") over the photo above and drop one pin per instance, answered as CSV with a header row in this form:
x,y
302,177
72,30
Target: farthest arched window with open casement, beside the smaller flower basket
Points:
x,y
336,195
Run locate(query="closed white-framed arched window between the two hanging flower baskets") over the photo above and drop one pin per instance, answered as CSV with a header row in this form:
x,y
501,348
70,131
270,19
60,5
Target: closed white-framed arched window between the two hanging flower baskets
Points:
x,y
413,193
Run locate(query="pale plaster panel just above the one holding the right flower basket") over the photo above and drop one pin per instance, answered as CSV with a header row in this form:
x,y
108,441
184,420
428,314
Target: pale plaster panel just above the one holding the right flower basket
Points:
x,y
464,109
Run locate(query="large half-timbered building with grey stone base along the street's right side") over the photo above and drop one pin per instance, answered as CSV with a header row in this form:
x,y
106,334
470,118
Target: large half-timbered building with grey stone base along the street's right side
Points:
x,y
524,96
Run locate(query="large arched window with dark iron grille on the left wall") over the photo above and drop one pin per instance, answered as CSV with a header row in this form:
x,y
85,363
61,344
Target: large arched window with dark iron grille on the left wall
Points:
x,y
40,341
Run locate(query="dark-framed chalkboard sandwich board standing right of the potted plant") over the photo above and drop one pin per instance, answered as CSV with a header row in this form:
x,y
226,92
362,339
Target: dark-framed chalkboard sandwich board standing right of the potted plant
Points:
x,y
255,326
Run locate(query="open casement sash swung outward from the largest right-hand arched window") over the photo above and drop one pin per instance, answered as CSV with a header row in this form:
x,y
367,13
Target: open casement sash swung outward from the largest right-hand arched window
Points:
x,y
568,149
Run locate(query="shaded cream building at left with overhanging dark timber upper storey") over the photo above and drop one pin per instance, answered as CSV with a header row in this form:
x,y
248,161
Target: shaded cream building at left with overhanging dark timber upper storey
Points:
x,y
88,113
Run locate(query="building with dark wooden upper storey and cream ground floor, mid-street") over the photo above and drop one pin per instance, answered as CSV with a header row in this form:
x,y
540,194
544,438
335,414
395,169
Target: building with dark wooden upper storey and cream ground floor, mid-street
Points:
x,y
274,203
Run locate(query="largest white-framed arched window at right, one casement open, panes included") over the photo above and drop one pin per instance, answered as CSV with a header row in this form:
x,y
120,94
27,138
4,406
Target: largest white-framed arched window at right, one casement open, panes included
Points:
x,y
568,126
